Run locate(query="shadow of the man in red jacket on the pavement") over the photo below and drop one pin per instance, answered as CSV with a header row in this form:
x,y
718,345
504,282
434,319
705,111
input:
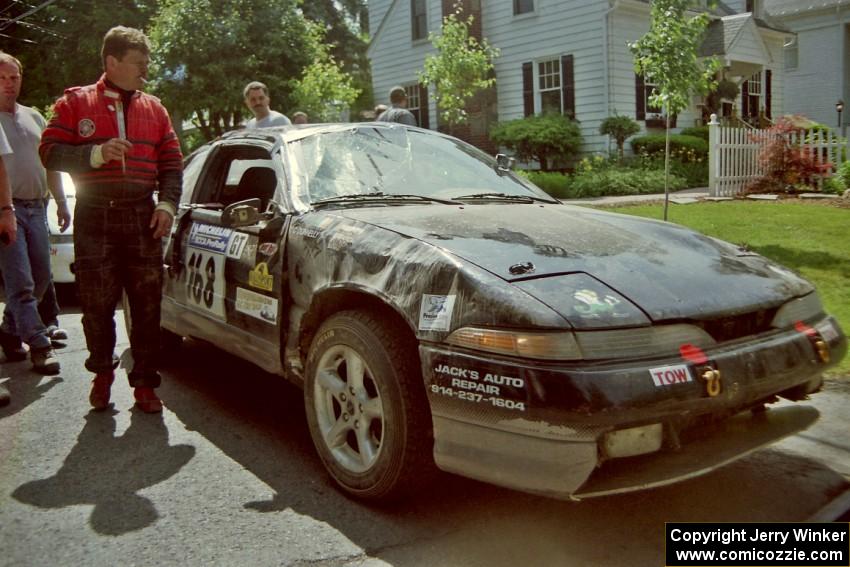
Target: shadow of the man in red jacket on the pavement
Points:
x,y
106,472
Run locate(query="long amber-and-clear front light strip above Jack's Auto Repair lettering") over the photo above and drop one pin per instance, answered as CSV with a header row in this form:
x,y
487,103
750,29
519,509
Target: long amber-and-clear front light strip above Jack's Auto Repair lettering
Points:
x,y
663,340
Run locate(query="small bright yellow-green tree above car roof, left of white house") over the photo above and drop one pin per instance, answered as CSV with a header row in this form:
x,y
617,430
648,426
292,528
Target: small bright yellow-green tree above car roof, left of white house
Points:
x,y
324,91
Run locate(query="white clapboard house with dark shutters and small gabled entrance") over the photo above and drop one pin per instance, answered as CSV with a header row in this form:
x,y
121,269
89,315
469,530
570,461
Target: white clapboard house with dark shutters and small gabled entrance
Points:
x,y
571,56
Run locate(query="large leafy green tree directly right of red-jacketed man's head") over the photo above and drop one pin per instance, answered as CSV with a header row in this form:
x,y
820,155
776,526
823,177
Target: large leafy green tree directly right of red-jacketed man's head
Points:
x,y
206,51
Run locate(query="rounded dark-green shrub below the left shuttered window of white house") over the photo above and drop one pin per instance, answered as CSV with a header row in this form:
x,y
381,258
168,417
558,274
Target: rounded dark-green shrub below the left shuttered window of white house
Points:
x,y
542,137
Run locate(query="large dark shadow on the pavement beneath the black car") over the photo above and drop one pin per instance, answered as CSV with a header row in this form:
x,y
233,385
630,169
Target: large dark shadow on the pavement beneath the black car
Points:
x,y
258,420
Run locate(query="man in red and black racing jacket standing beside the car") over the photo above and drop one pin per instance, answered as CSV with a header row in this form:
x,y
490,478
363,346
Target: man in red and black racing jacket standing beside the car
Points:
x,y
119,146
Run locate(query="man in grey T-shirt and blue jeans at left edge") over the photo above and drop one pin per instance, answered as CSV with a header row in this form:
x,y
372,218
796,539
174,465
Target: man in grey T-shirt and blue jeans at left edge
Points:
x,y
26,264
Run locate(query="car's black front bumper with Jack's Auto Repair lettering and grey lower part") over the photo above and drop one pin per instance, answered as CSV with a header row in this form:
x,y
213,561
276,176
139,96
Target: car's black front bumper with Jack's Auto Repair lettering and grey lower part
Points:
x,y
539,427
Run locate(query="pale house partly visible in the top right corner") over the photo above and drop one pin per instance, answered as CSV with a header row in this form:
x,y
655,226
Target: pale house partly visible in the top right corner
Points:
x,y
817,64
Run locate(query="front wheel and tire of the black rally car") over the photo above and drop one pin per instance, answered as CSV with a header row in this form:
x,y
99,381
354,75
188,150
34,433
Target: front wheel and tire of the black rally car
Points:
x,y
366,407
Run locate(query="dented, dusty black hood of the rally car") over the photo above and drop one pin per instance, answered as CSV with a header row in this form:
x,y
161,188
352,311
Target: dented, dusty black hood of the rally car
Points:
x,y
670,272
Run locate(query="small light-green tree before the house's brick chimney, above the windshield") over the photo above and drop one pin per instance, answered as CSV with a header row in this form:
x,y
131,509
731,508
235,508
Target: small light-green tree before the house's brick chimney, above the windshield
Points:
x,y
461,67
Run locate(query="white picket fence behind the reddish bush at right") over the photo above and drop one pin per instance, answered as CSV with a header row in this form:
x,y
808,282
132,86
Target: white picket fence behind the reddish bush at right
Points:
x,y
733,155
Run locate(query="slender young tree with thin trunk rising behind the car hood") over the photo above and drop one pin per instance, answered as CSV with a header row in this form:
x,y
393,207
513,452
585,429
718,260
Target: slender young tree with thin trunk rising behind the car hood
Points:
x,y
668,53
